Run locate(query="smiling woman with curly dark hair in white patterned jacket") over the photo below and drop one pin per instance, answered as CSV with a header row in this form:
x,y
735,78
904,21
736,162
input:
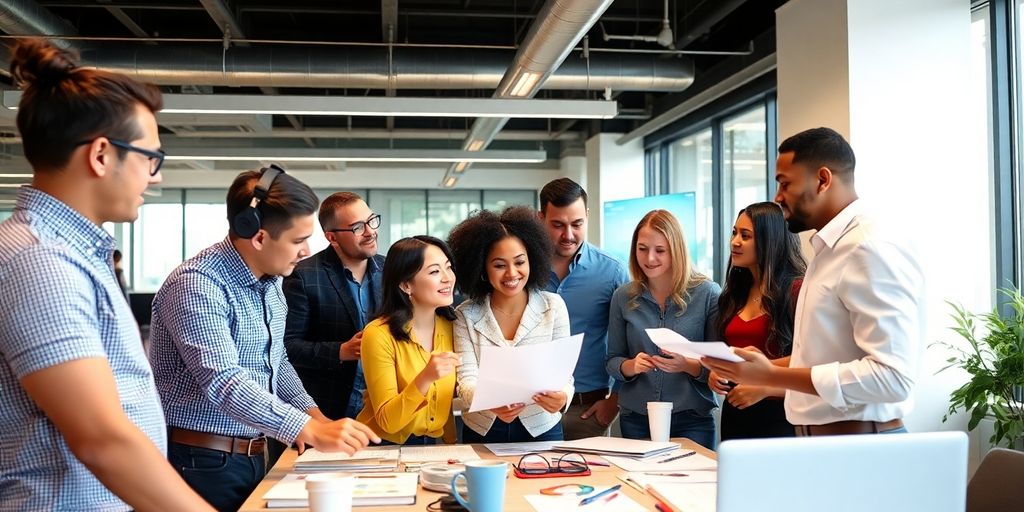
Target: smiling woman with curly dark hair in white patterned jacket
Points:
x,y
502,264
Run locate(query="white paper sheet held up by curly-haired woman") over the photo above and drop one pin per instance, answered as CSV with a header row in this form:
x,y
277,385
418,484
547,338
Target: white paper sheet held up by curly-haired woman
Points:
x,y
515,375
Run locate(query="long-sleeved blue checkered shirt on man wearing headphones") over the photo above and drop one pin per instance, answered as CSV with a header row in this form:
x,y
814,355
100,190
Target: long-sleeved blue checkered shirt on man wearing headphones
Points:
x,y
218,350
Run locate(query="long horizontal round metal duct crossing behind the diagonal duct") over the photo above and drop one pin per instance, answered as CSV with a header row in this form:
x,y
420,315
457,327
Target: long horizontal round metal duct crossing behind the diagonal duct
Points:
x,y
368,69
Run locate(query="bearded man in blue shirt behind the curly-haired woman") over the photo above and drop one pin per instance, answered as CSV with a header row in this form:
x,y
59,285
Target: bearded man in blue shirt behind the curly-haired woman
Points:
x,y
585,277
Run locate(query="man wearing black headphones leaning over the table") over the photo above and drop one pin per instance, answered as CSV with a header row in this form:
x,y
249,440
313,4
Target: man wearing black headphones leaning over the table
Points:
x,y
218,347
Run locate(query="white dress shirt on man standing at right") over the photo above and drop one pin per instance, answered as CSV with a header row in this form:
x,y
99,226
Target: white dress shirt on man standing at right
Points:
x,y
860,324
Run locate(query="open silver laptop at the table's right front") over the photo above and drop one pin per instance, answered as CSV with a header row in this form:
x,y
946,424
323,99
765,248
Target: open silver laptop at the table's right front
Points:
x,y
924,473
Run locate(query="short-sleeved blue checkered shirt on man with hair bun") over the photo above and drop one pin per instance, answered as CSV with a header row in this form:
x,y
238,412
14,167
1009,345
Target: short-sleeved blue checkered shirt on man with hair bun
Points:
x,y
61,304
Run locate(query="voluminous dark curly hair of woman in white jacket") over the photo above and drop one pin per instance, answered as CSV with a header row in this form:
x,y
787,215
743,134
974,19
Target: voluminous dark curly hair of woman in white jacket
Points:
x,y
473,240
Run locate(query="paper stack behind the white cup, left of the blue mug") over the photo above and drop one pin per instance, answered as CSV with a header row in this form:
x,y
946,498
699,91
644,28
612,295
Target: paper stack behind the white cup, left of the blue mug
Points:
x,y
371,490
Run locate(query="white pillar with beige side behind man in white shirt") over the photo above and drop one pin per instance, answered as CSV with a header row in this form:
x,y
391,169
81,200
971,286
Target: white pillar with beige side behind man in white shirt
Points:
x,y
892,77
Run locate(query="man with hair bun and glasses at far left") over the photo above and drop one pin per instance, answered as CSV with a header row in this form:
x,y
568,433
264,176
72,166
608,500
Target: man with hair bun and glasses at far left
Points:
x,y
81,428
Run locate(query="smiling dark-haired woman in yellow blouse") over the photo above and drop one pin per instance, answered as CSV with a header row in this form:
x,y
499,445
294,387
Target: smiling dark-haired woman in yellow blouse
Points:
x,y
408,359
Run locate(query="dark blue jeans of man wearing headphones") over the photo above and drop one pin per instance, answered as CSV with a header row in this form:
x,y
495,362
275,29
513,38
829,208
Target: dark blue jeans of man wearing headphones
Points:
x,y
224,480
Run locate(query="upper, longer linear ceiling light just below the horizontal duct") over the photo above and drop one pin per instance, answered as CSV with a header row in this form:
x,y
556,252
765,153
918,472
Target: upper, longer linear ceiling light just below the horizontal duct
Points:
x,y
378,106
